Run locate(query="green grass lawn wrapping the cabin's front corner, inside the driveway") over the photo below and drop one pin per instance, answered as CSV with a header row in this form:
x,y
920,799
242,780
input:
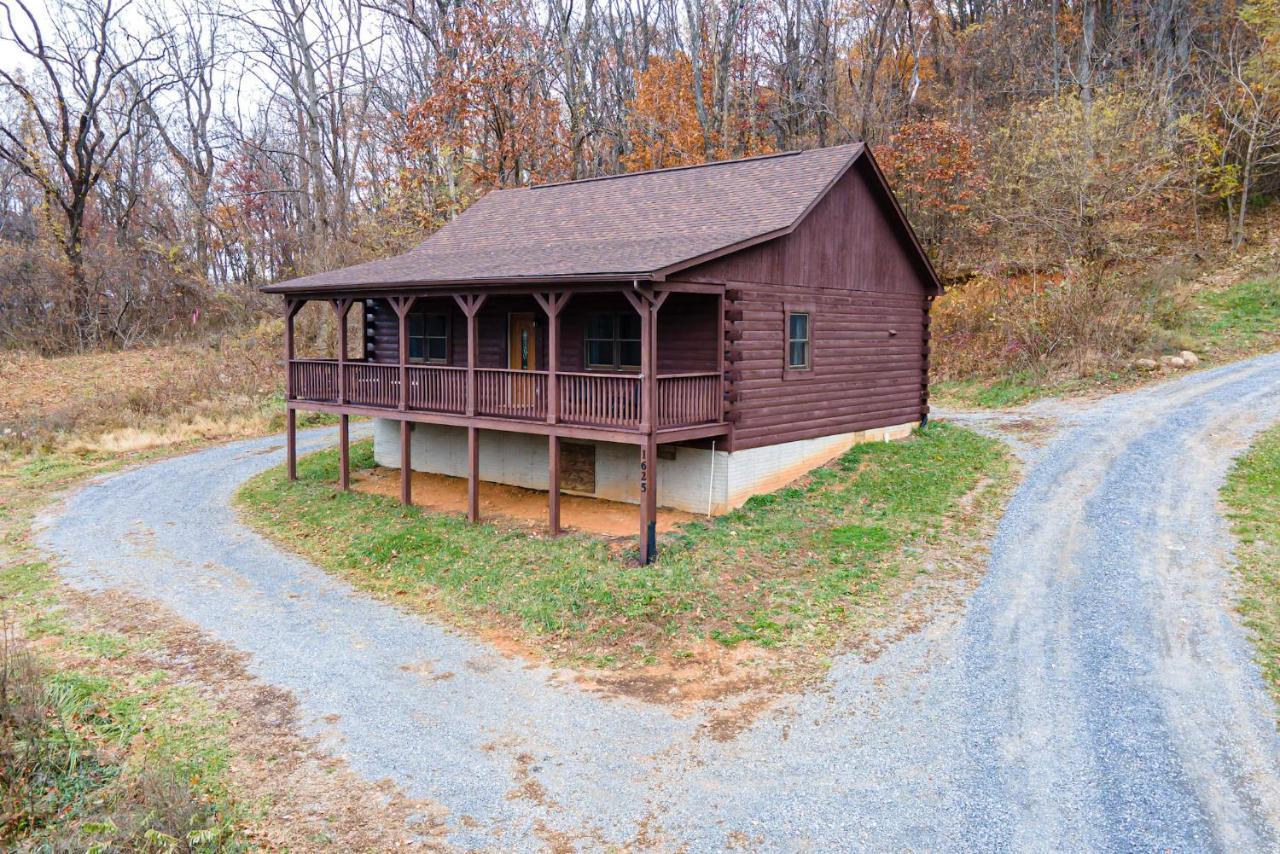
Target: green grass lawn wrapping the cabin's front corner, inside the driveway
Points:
x,y
790,569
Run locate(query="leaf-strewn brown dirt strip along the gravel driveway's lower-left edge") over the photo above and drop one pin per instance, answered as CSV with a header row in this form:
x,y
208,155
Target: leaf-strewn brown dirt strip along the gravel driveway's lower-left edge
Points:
x,y
308,798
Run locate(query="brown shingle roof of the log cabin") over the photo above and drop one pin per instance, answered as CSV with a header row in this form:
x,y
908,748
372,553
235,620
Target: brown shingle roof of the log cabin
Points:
x,y
633,226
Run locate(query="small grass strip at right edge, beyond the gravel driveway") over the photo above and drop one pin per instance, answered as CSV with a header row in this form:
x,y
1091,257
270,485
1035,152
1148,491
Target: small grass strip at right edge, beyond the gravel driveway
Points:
x,y
1252,495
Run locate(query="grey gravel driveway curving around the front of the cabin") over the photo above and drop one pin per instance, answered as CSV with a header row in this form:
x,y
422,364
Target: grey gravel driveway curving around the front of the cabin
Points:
x,y
1095,695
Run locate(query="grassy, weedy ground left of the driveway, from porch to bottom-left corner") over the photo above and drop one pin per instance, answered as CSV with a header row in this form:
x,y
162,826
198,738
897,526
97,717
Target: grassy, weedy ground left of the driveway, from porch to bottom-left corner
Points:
x,y
98,747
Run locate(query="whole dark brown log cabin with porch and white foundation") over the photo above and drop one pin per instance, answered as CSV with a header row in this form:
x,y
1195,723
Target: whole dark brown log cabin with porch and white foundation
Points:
x,y
685,337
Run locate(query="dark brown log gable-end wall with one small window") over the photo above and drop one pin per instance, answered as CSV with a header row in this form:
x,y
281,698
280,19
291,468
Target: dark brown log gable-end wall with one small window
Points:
x,y
856,272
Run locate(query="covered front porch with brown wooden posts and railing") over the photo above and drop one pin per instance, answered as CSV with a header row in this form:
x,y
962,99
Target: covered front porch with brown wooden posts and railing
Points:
x,y
634,364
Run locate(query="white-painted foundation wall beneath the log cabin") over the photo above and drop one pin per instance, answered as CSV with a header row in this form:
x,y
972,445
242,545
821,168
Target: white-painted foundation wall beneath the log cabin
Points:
x,y
691,482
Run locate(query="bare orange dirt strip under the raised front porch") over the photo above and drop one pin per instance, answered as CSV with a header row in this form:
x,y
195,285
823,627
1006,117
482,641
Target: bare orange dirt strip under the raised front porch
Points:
x,y
442,494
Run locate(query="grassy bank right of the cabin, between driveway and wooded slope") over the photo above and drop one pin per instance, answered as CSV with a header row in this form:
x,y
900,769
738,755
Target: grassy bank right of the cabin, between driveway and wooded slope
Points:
x,y
1220,325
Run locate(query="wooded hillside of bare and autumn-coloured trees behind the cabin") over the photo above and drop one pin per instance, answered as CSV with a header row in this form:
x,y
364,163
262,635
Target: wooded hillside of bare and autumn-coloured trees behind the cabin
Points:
x,y
159,161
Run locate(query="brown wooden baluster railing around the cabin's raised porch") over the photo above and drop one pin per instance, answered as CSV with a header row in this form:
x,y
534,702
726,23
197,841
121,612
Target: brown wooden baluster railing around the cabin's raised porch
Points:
x,y
587,400
